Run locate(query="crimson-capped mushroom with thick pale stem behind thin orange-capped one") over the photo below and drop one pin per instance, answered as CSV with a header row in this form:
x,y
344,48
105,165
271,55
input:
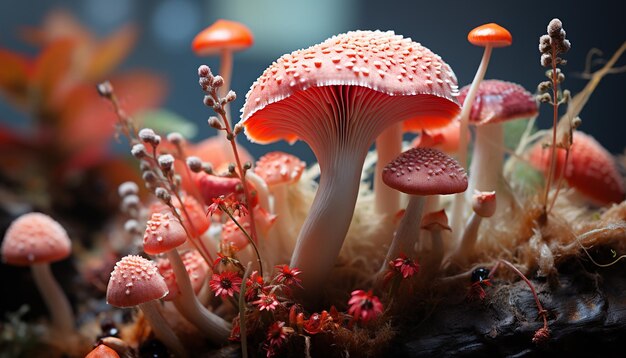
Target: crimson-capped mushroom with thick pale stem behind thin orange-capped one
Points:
x,y
495,102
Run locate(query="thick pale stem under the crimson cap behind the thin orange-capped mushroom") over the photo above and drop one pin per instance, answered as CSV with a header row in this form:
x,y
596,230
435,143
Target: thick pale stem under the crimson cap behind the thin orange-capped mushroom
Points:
x,y
487,158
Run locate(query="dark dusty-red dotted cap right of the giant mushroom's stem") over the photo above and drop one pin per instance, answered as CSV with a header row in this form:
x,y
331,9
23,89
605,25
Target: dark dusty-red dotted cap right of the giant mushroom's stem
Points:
x,y
425,171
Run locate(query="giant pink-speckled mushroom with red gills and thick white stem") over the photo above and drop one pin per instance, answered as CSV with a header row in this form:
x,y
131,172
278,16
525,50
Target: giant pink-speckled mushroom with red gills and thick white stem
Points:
x,y
338,96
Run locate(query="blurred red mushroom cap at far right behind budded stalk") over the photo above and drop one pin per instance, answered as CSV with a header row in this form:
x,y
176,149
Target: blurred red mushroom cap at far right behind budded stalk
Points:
x,y
590,169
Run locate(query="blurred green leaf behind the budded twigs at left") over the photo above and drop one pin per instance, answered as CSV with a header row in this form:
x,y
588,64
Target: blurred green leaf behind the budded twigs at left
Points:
x,y
163,121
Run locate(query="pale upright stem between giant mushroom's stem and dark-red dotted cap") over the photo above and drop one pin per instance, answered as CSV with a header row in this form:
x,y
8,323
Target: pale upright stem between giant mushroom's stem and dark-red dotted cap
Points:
x,y
388,146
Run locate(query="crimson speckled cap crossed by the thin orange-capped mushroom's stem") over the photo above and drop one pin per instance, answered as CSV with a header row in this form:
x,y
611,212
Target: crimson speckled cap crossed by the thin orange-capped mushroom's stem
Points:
x,y
499,101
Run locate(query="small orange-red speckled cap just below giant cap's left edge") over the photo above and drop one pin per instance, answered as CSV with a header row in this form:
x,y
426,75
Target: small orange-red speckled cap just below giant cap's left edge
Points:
x,y
279,168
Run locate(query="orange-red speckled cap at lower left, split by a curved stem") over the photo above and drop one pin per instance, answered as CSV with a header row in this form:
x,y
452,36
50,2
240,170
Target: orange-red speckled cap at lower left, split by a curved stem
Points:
x,y
197,269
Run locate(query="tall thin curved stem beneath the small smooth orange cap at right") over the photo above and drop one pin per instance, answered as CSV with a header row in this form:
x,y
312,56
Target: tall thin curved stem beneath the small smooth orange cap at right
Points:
x,y
458,206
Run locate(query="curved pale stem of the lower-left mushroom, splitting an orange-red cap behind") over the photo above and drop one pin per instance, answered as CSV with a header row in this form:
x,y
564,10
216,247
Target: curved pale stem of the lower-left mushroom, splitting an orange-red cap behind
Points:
x,y
211,325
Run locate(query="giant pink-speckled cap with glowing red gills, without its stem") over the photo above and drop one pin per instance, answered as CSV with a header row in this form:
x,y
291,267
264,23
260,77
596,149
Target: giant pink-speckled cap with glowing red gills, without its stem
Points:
x,y
374,77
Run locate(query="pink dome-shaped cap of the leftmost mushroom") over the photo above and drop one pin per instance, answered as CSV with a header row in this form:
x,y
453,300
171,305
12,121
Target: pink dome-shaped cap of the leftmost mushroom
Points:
x,y
35,238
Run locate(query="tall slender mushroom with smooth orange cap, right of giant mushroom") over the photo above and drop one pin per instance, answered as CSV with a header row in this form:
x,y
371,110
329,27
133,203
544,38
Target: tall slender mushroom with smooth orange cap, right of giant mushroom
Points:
x,y
488,36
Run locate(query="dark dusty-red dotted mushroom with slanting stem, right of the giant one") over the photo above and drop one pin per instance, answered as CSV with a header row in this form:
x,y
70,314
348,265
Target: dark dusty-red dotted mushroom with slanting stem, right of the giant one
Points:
x,y
419,172
